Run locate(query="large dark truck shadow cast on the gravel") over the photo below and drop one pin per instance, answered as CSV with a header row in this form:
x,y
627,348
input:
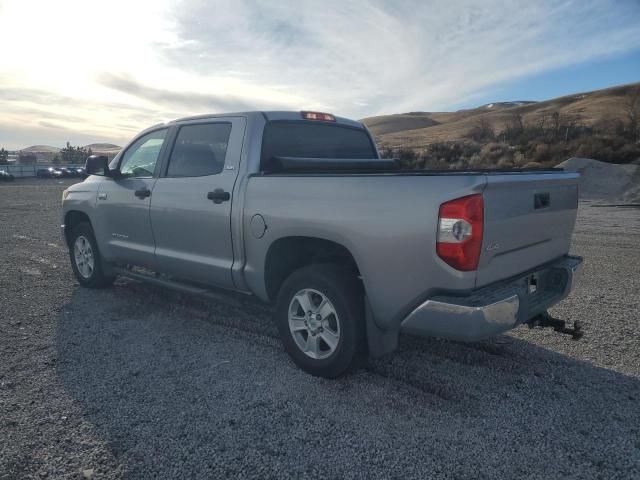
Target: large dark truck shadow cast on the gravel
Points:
x,y
181,384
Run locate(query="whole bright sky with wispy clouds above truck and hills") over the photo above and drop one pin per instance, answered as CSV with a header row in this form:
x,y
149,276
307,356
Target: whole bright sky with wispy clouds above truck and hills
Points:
x,y
100,71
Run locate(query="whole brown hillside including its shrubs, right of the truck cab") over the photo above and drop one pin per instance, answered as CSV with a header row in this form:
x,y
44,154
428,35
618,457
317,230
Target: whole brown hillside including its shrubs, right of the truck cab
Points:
x,y
601,125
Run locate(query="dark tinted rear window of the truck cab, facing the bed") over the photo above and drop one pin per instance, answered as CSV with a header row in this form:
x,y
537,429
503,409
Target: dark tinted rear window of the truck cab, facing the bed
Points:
x,y
306,139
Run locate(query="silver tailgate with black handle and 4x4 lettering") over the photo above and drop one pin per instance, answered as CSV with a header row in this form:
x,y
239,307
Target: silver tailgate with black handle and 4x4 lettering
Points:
x,y
528,221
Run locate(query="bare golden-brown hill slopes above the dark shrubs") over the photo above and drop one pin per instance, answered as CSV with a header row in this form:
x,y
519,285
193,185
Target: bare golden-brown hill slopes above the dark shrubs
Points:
x,y
417,130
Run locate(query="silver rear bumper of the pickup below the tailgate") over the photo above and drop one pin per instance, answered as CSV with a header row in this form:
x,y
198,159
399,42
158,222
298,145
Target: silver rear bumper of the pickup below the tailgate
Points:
x,y
496,308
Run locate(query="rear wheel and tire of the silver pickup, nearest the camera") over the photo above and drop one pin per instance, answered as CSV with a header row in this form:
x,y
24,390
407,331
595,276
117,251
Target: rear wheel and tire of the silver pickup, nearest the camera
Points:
x,y
319,314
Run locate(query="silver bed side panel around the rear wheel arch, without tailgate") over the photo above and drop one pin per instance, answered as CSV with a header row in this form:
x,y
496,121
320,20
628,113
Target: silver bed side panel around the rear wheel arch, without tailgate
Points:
x,y
387,222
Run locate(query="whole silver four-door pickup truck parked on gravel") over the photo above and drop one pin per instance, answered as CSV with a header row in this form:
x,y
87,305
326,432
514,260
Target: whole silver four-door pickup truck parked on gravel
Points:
x,y
299,209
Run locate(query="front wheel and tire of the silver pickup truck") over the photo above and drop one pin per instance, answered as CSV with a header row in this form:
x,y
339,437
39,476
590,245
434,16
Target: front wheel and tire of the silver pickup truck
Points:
x,y
86,261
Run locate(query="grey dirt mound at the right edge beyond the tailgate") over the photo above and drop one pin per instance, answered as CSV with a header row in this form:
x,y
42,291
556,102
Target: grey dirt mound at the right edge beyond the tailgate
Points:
x,y
605,181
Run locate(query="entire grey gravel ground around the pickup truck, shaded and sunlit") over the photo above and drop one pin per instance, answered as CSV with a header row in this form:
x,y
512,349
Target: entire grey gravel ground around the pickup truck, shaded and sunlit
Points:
x,y
138,382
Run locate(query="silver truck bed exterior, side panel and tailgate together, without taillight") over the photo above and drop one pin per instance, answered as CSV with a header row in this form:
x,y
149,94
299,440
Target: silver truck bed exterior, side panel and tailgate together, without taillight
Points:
x,y
389,223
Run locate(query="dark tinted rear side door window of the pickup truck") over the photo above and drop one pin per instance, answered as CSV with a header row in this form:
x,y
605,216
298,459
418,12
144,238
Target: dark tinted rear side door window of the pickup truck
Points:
x,y
199,150
